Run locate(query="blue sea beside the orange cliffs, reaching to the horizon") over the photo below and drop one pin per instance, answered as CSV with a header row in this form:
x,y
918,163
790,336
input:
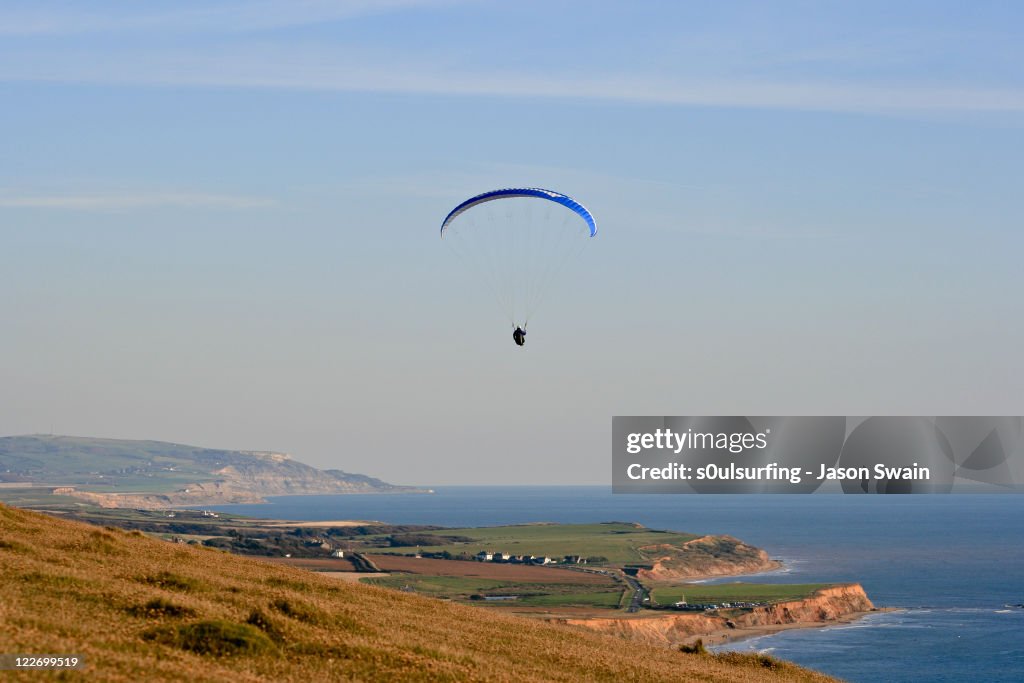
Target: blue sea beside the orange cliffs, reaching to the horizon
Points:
x,y
952,565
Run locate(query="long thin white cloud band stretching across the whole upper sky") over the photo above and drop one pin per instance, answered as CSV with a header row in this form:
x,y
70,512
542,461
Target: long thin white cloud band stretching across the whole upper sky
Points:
x,y
272,67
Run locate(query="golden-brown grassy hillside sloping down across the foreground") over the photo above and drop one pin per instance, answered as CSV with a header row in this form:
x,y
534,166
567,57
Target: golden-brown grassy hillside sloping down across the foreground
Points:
x,y
139,609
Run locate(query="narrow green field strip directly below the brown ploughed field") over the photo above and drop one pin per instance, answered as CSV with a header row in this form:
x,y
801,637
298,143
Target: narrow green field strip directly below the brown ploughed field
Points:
x,y
460,588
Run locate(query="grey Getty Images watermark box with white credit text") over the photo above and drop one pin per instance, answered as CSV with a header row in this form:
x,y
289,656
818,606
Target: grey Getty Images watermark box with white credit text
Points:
x,y
854,455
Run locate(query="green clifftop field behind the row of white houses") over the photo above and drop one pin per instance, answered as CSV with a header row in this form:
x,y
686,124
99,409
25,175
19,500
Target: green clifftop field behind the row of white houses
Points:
x,y
618,542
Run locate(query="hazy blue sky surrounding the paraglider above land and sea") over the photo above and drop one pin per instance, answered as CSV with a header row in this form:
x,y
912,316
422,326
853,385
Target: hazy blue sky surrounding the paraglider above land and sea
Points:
x,y
219,222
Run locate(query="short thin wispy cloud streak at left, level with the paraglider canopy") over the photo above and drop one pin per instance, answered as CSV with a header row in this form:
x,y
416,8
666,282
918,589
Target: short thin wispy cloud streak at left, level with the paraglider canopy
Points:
x,y
122,202
